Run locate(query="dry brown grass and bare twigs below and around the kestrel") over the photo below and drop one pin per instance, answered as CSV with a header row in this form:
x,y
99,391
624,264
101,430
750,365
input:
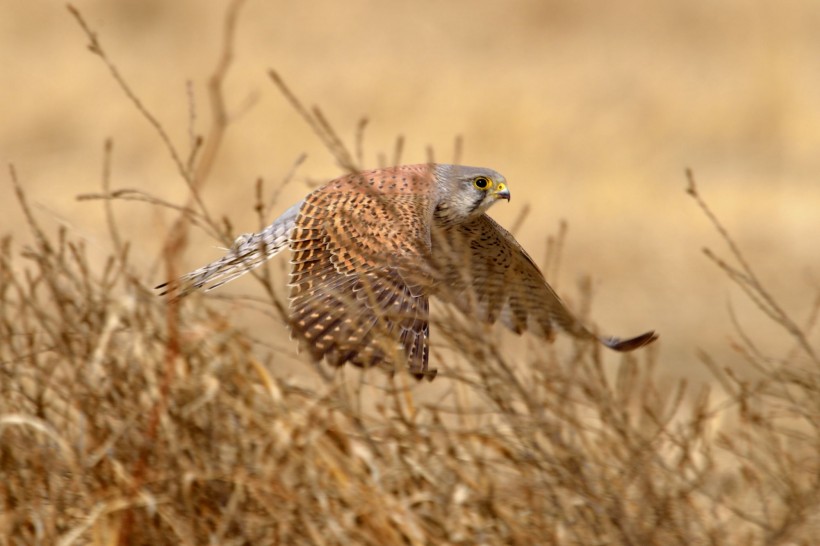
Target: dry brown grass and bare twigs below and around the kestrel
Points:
x,y
128,420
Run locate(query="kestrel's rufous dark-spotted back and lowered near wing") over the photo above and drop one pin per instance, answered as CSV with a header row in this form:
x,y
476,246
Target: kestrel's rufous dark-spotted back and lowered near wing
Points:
x,y
355,296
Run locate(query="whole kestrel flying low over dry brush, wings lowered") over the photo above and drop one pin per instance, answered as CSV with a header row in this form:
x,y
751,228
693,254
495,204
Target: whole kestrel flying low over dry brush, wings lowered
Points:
x,y
369,249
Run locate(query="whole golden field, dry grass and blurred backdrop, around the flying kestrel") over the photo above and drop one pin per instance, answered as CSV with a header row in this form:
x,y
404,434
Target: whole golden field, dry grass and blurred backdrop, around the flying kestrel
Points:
x,y
124,420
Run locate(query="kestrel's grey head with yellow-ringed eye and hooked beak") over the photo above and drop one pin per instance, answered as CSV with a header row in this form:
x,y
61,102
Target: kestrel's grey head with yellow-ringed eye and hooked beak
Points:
x,y
467,192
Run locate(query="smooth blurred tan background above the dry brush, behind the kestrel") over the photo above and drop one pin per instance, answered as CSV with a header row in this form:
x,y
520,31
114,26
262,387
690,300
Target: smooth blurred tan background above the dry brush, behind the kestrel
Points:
x,y
591,110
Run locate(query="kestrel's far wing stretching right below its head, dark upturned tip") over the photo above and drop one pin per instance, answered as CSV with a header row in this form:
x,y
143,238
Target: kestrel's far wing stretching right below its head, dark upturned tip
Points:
x,y
485,270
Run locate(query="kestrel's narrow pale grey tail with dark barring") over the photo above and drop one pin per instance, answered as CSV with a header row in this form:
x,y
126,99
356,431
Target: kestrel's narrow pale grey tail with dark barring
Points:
x,y
248,252
